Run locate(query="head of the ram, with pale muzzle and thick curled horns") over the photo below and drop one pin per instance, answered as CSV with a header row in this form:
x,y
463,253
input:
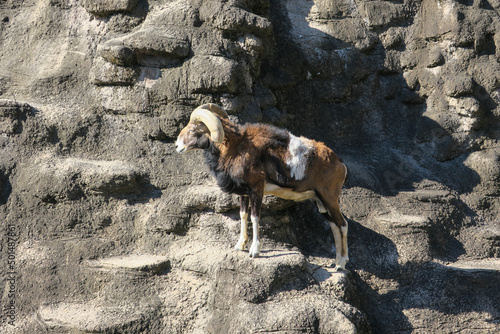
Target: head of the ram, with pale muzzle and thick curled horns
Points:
x,y
204,125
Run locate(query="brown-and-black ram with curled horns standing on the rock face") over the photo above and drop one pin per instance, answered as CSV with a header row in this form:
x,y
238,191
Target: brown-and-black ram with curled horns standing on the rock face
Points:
x,y
257,159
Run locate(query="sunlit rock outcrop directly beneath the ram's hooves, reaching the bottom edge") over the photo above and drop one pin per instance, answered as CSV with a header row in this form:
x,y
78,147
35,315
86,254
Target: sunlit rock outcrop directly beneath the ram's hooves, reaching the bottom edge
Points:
x,y
239,289
